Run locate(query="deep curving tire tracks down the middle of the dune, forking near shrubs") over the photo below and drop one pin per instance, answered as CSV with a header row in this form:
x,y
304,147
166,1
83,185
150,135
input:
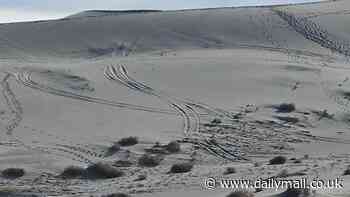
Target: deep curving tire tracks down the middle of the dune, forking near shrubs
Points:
x,y
191,117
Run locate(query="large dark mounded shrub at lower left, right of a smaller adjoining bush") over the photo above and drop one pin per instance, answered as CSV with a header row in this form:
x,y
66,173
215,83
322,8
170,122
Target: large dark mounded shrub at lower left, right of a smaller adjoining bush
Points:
x,y
102,171
